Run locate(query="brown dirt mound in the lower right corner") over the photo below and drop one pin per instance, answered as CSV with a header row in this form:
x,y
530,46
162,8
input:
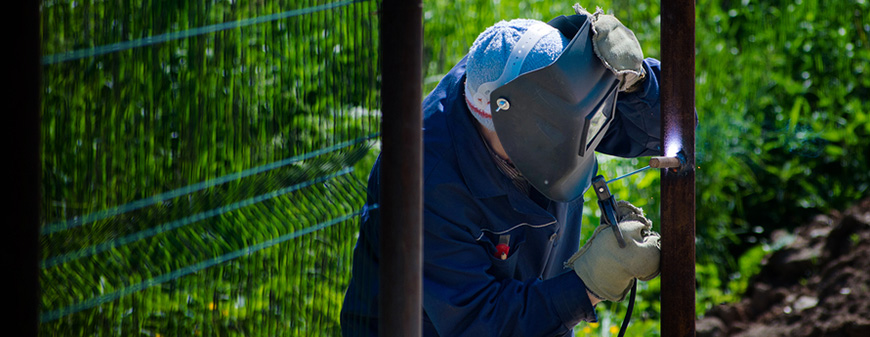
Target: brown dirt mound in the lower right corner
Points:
x,y
817,285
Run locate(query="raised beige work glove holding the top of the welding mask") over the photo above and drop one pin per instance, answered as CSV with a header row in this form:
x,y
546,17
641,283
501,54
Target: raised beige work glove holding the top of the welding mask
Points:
x,y
617,47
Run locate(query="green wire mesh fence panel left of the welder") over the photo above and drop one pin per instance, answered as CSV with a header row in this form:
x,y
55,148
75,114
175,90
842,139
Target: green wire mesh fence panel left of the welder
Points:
x,y
204,164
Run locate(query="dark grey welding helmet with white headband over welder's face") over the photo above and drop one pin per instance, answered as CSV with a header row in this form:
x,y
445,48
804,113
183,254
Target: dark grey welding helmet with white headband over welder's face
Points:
x,y
550,120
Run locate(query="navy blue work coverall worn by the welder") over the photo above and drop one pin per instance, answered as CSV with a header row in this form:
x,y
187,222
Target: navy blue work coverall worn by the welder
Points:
x,y
469,205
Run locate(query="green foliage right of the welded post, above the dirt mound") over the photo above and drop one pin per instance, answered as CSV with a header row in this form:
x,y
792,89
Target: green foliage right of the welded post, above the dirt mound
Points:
x,y
785,137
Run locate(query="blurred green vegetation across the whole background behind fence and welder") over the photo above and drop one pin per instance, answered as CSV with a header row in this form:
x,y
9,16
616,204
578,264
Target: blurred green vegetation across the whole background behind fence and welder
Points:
x,y
781,90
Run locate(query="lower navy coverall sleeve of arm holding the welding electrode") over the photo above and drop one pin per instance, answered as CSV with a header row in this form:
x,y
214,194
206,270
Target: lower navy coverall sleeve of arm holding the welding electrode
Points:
x,y
462,299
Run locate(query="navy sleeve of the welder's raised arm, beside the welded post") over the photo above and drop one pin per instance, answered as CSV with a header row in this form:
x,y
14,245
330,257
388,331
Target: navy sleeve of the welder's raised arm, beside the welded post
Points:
x,y
636,130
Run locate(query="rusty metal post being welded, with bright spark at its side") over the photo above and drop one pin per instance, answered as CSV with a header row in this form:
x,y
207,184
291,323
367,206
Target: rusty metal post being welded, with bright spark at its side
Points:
x,y
678,187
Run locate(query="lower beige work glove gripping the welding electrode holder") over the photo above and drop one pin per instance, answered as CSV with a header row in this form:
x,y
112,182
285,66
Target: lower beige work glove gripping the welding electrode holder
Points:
x,y
609,271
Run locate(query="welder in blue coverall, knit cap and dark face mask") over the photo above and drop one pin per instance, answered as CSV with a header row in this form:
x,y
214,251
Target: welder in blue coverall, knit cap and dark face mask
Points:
x,y
510,136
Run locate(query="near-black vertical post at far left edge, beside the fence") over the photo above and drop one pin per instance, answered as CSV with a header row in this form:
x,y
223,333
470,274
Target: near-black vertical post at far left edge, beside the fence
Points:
x,y
21,121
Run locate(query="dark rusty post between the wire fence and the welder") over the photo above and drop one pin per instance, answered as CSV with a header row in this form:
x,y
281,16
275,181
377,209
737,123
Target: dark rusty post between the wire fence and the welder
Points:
x,y
401,240
